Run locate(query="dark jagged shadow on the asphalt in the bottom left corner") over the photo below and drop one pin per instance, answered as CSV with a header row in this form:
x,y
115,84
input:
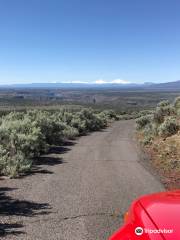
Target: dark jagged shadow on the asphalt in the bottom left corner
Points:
x,y
13,207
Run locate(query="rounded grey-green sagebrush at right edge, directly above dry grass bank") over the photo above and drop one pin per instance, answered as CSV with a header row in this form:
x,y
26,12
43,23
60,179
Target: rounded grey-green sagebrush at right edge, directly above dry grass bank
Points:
x,y
168,127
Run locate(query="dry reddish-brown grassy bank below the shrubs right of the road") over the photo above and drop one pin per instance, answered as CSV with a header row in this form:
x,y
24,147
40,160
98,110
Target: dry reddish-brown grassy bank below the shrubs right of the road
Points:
x,y
165,157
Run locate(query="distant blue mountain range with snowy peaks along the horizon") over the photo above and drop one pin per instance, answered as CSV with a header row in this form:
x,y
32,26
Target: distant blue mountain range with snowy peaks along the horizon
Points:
x,y
174,86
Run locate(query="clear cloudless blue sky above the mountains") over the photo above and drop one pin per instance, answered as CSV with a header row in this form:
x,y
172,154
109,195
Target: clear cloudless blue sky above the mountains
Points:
x,y
89,40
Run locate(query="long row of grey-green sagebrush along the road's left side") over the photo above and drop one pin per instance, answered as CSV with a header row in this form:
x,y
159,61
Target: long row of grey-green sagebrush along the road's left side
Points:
x,y
24,136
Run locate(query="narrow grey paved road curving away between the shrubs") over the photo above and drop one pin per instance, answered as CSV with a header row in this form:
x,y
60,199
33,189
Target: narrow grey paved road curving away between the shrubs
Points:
x,y
82,193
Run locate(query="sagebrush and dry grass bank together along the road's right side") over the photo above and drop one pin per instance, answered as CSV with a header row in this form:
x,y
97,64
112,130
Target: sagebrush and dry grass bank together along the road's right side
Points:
x,y
159,133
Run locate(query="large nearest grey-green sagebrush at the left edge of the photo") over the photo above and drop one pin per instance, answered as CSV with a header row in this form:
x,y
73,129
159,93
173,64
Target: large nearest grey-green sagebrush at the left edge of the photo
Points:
x,y
19,144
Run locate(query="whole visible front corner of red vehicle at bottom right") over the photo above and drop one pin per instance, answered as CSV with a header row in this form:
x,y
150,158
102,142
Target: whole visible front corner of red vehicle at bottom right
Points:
x,y
152,217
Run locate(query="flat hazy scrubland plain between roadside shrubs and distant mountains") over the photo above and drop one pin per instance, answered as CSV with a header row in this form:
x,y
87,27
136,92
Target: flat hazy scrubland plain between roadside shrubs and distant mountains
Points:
x,y
122,101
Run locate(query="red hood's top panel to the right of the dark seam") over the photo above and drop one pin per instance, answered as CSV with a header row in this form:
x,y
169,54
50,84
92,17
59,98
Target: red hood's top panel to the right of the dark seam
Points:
x,y
164,211
